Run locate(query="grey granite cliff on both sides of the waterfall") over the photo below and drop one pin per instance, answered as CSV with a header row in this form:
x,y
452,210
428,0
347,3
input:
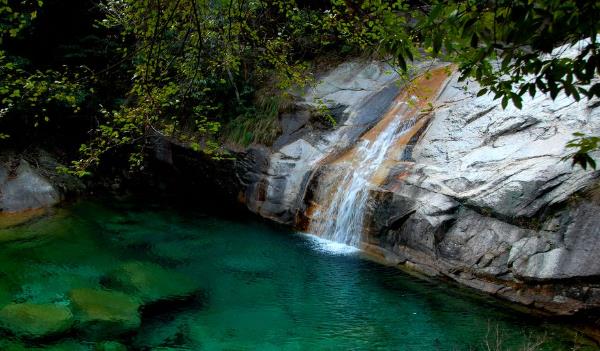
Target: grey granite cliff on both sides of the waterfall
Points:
x,y
473,192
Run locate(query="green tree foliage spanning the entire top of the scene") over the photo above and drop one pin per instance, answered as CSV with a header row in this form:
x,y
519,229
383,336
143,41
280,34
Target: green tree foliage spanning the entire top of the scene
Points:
x,y
204,72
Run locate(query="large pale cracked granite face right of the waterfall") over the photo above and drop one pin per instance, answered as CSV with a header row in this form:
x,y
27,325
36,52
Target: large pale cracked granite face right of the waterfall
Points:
x,y
489,201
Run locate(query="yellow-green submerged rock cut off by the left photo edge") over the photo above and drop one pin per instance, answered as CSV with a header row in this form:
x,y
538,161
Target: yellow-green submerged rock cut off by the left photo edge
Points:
x,y
36,320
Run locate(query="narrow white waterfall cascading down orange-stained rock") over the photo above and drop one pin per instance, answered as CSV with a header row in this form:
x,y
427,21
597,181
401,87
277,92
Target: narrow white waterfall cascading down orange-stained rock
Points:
x,y
341,218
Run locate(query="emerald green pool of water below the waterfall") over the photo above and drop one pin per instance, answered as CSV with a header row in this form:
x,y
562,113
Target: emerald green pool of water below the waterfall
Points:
x,y
261,288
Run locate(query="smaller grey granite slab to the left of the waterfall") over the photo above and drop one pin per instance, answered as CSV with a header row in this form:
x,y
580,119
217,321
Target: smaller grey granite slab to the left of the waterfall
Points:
x,y
357,94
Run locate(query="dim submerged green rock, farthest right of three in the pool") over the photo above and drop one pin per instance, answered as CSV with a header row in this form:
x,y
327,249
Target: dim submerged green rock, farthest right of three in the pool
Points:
x,y
151,282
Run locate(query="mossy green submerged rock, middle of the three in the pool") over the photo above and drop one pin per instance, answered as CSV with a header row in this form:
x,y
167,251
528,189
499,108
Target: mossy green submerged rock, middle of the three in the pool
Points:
x,y
105,313
